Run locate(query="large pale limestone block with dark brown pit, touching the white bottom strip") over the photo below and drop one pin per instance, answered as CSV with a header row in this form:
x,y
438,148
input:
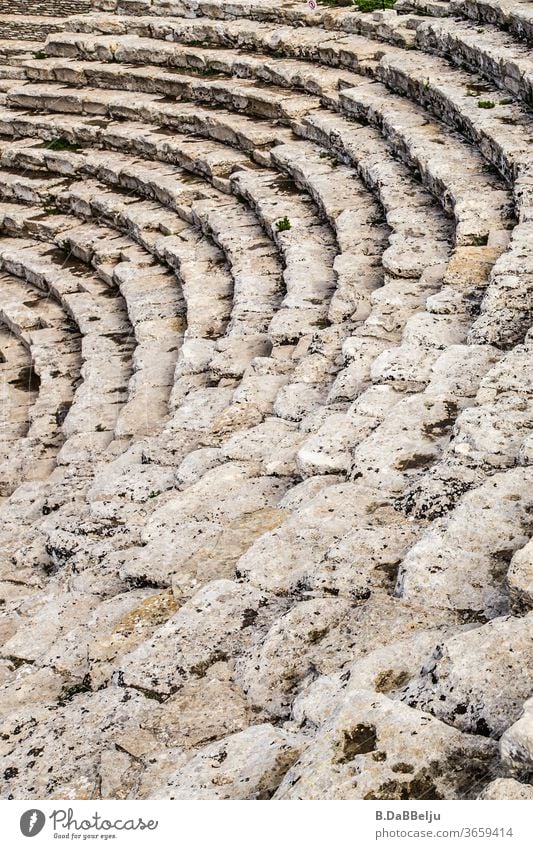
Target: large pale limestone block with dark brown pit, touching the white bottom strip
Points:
x,y
373,748
